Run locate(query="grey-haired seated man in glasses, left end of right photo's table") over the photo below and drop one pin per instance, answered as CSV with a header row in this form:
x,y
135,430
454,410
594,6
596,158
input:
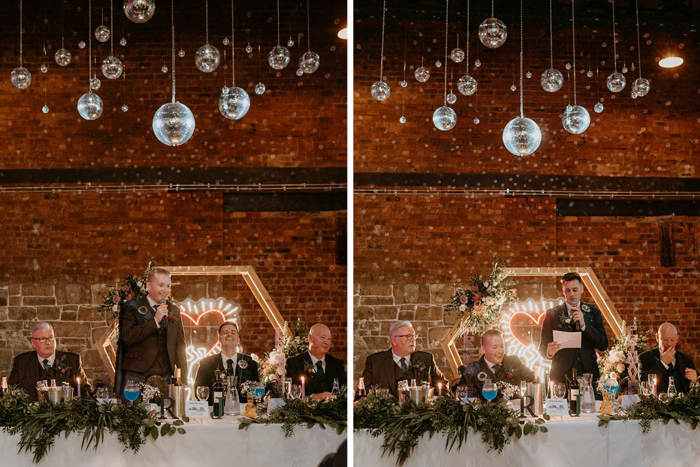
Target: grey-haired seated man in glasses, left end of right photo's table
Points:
x,y
401,362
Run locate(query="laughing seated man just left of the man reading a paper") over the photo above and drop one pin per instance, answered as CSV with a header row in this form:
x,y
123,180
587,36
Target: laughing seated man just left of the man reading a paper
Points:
x,y
495,365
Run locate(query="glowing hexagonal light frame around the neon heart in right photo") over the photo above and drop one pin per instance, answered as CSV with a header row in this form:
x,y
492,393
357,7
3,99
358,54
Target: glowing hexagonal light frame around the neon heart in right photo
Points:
x,y
590,280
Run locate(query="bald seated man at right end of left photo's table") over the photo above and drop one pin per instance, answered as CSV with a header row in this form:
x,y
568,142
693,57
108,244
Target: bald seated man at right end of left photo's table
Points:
x,y
317,366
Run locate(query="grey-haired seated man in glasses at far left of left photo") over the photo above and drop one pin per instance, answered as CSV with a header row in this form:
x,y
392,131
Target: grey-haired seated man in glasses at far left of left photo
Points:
x,y
44,362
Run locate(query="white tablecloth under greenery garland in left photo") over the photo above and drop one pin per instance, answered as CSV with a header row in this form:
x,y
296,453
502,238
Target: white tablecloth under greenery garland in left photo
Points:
x,y
212,443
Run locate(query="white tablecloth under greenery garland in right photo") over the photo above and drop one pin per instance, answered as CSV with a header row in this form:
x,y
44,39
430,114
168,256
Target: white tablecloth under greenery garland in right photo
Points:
x,y
571,442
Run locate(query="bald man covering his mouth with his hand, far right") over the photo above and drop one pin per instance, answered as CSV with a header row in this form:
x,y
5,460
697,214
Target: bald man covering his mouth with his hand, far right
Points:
x,y
666,361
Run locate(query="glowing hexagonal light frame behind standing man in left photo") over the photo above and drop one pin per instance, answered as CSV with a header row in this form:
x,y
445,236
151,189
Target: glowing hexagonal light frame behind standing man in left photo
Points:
x,y
107,349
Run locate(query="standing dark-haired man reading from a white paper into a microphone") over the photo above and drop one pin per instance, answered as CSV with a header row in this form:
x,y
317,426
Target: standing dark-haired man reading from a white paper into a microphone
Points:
x,y
573,316
